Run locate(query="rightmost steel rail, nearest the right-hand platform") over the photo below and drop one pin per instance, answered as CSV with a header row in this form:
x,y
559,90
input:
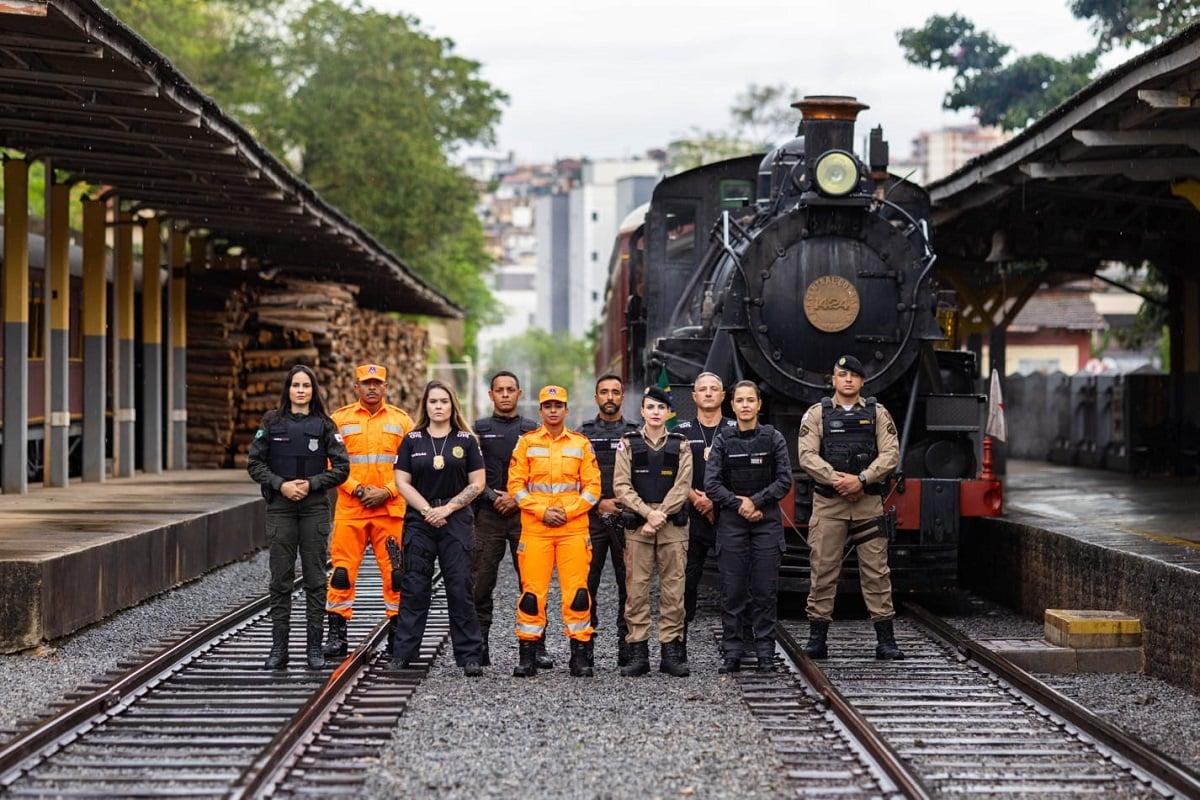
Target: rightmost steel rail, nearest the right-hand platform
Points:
x,y
1159,766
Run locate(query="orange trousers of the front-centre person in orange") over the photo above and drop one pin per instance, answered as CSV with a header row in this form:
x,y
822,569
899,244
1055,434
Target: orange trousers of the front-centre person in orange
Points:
x,y
538,555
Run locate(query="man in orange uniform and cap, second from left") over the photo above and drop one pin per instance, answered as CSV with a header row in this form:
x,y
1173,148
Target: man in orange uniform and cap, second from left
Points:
x,y
370,508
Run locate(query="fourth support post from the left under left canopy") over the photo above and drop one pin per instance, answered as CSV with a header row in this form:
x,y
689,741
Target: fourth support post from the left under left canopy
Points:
x,y
125,414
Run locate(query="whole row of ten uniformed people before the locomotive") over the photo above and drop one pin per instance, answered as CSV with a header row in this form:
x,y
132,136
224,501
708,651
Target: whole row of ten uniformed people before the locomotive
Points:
x,y
647,497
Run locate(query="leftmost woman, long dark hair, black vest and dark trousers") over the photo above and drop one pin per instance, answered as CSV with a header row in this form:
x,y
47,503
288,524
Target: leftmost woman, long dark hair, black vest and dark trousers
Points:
x,y
297,456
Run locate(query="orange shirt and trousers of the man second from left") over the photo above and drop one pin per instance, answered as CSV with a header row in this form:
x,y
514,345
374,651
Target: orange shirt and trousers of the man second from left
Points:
x,y
373,441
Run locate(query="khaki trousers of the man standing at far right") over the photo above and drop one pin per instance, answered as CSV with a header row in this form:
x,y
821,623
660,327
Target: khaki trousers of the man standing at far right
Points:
x,y
827,542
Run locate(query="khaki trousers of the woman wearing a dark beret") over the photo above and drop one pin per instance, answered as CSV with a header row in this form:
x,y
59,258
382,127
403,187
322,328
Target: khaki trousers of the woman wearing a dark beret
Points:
x,y
673,562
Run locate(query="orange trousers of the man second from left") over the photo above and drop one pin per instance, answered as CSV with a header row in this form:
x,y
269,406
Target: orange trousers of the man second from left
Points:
x,y
346,550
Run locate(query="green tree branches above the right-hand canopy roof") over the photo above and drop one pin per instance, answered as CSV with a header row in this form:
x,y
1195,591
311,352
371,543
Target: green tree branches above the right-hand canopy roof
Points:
x,y
1013,93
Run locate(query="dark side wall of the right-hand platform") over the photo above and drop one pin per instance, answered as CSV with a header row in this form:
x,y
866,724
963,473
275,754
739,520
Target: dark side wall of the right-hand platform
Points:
x,y
1030,568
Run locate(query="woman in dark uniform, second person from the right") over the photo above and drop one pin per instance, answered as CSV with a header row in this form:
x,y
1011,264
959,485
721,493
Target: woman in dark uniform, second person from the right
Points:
x,y
747,476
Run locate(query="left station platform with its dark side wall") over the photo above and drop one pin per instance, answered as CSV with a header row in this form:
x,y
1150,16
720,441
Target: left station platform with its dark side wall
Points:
x,y
70,557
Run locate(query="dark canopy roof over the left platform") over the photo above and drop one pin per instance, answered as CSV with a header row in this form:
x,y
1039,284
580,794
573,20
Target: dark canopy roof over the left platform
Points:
x,y
81,89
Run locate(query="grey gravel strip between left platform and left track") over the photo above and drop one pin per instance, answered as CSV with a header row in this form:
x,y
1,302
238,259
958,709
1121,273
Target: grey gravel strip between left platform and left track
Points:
x,y
35,678
